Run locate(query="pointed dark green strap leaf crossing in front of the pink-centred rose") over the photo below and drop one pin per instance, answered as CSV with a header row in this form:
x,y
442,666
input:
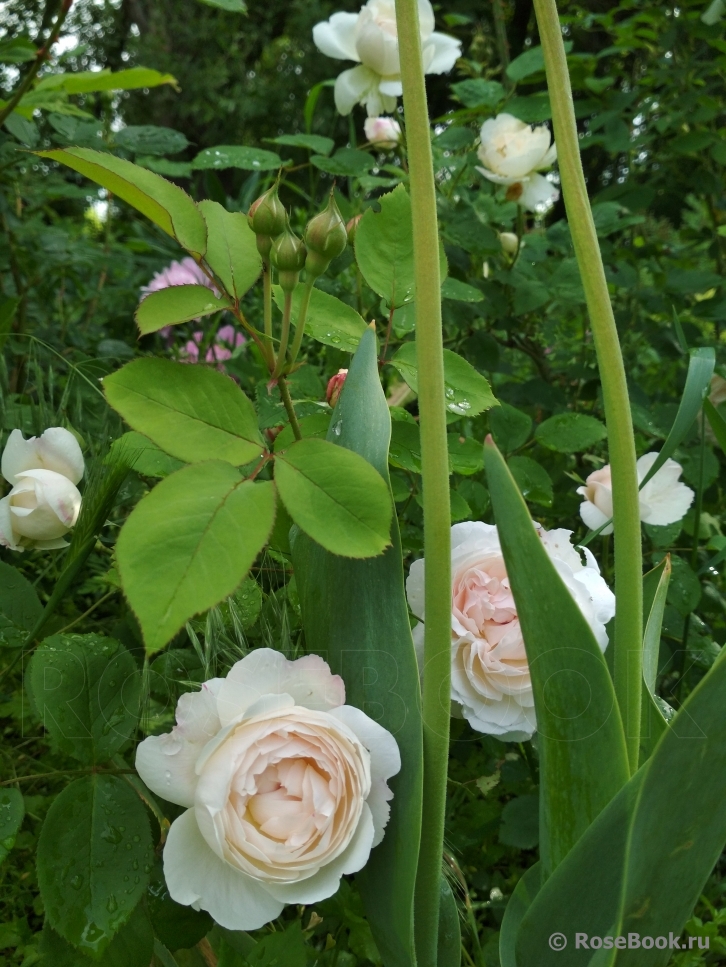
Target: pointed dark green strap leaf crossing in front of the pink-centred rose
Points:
x,y
585,750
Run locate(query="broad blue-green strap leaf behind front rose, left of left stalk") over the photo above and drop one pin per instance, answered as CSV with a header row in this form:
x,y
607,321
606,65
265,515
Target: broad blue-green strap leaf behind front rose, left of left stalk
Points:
x,y
356,637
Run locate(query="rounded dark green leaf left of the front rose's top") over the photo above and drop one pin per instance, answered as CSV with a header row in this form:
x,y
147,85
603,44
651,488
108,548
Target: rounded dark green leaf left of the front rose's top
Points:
x,y
87,690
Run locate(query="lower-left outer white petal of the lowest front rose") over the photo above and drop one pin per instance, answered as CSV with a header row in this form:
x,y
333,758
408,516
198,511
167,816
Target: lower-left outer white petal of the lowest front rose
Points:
x,y
195,876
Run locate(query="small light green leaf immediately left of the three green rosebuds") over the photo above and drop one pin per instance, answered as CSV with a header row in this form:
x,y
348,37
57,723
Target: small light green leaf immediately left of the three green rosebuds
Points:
x,y
231,248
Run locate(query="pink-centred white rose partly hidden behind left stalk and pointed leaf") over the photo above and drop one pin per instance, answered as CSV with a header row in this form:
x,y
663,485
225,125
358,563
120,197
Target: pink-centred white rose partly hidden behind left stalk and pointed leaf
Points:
x,y
490,681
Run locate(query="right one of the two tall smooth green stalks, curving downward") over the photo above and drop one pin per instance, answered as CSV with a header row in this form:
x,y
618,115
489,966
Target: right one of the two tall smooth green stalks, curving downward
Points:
x,y
628,559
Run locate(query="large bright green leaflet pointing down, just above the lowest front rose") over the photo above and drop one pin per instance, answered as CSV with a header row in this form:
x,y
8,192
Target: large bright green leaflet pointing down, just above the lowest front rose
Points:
x,y
189,543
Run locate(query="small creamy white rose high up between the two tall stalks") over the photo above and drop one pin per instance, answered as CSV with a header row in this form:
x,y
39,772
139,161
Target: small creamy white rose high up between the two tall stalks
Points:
x,y
513,153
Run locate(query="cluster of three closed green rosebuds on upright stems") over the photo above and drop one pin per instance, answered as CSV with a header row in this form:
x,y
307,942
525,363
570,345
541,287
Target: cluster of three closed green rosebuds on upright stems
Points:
x,y
325,239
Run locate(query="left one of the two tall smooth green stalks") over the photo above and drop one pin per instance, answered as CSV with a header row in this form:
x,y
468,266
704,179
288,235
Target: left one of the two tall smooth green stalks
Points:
x,y
435,474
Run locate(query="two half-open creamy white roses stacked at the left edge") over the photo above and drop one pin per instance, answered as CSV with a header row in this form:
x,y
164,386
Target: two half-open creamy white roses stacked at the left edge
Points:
x,y
44,502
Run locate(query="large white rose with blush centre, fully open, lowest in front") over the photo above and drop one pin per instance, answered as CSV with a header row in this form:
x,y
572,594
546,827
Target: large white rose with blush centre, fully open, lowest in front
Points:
x,y
284,784
